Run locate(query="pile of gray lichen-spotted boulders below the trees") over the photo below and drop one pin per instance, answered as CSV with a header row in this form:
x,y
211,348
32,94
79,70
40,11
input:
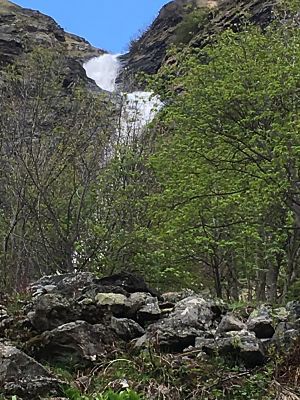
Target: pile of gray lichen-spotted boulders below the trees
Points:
x,y
78,319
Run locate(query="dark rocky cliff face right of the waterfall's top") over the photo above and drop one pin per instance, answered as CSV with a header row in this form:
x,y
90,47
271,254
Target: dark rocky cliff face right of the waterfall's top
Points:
x,y
149,52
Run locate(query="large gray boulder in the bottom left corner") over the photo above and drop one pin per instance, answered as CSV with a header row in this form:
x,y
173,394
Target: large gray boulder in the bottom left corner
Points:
x,y
21,375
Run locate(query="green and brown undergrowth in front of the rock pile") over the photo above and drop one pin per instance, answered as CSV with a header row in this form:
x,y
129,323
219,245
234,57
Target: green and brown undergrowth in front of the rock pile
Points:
x,y
176,376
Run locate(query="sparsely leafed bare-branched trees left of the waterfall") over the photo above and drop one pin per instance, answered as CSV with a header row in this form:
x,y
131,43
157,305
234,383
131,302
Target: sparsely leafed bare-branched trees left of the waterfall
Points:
x,y
52,146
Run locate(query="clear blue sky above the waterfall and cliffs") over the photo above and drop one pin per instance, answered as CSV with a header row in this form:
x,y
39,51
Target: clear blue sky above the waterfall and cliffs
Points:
x,y
108,24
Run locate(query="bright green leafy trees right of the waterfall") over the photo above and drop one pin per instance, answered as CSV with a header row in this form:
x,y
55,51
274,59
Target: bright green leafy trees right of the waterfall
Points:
x,y
228,163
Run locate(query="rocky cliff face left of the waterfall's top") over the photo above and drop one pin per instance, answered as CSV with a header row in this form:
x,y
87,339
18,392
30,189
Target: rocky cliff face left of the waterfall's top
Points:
x,y
22,29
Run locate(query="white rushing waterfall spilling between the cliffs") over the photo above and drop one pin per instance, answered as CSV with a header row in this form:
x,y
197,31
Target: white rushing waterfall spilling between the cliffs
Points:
x,y
138,108
